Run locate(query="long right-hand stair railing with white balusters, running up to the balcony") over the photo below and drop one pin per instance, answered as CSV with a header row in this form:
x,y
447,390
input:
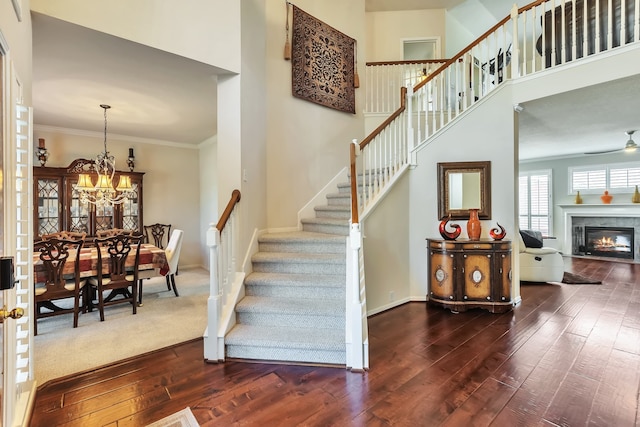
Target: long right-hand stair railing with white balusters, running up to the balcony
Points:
x,y
512,48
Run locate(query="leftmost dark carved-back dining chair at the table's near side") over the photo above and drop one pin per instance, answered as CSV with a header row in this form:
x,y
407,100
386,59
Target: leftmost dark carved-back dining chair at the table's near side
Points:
x,y
52,283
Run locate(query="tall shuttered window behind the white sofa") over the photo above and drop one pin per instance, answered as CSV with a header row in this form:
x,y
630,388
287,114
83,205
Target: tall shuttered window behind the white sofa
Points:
x,y
535,201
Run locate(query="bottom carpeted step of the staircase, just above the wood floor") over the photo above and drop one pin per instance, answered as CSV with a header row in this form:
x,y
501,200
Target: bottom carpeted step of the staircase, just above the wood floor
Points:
x,y
300,338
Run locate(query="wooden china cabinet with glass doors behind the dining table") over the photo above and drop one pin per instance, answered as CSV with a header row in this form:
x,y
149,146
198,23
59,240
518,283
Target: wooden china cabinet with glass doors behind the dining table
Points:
x,y
57,206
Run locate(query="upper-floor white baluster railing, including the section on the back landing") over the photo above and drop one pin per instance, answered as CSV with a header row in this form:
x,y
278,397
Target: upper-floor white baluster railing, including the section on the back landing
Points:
x,y
539,36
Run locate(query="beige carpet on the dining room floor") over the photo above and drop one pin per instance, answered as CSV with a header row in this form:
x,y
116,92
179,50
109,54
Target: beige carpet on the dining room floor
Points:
x,y
163,320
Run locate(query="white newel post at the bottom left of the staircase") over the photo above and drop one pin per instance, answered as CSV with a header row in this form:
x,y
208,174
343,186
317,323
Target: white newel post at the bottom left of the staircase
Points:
x,y
212,350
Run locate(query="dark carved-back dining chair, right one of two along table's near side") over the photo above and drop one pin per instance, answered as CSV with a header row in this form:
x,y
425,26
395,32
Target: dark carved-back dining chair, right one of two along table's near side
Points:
x,y
119,279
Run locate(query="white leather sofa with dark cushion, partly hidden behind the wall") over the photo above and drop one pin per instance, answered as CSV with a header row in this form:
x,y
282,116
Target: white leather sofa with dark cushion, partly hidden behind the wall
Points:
x,y
539,264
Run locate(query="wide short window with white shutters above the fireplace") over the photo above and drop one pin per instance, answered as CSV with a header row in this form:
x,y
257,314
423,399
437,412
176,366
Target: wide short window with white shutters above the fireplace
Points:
x,y
617,178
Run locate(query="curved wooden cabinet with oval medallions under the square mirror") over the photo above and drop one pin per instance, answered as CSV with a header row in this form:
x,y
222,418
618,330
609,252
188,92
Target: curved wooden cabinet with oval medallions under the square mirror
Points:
x,y
468,274
